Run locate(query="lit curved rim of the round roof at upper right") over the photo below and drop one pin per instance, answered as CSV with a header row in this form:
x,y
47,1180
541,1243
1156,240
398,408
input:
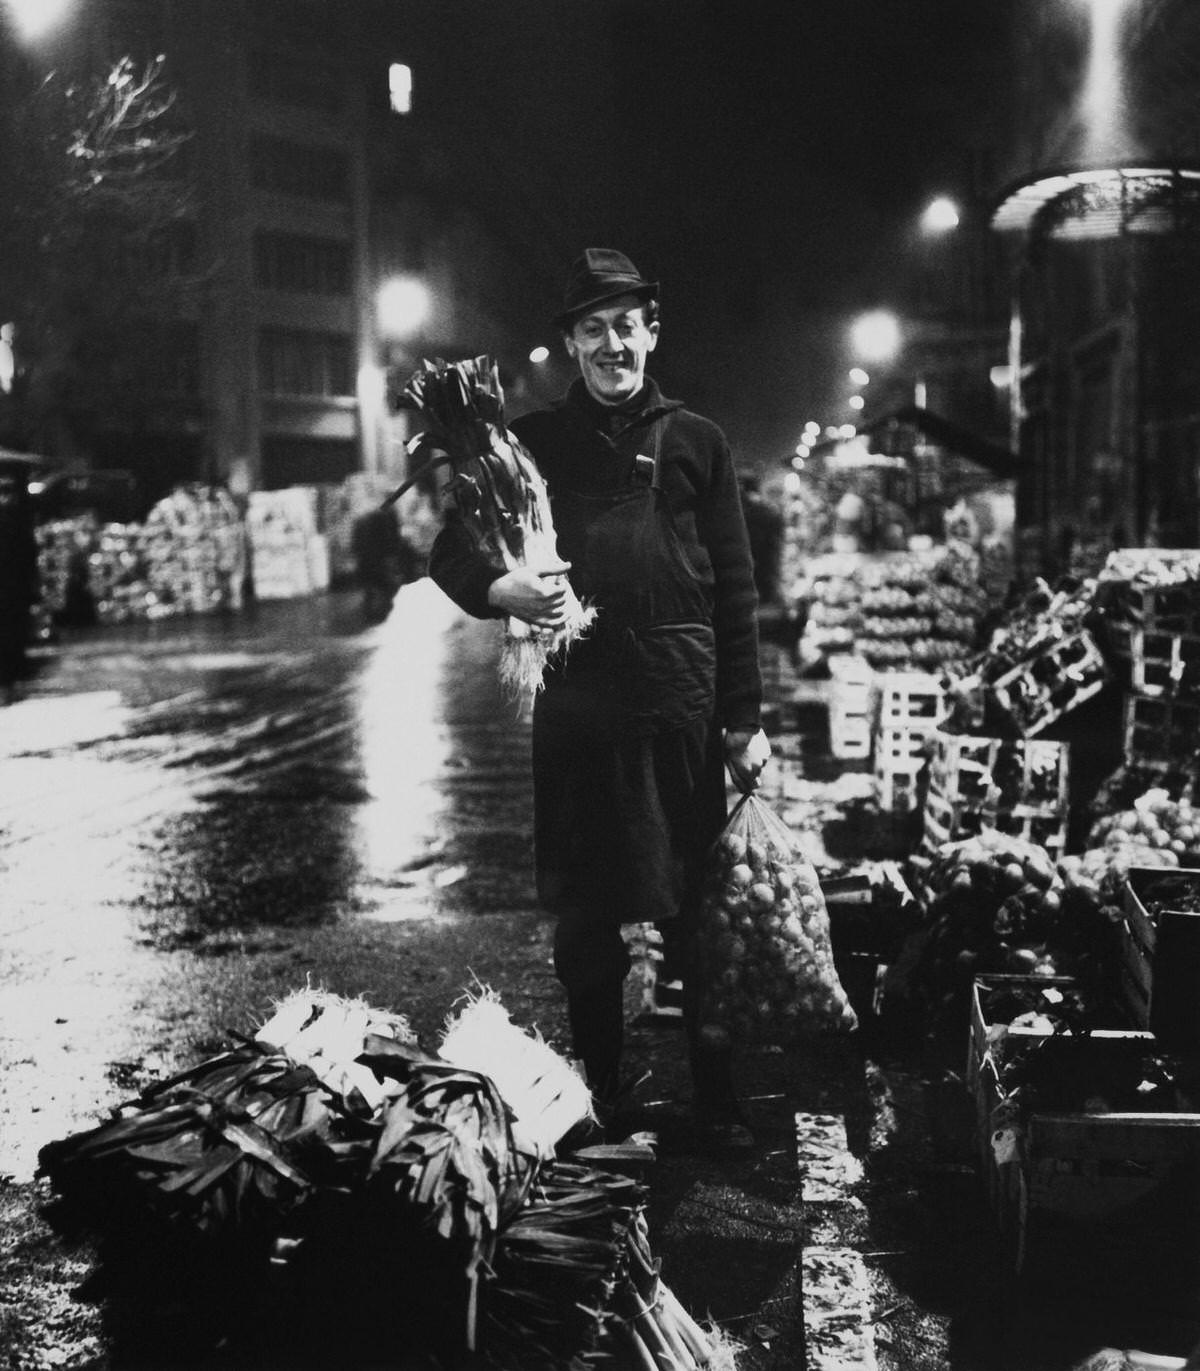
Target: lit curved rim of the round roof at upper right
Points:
x,y
1103,202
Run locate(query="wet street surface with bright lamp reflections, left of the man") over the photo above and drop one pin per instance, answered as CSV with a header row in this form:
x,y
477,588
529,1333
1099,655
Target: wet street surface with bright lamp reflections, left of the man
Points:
x,y
197,818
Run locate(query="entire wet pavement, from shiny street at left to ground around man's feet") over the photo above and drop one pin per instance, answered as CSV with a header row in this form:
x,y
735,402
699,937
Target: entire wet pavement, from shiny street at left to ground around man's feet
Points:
x,y
198,818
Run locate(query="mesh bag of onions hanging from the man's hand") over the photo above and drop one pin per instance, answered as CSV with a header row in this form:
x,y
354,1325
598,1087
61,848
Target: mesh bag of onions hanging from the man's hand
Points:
x,y
765,959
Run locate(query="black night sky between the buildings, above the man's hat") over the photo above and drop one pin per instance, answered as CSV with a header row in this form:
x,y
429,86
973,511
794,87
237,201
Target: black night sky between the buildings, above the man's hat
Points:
x,y
766,160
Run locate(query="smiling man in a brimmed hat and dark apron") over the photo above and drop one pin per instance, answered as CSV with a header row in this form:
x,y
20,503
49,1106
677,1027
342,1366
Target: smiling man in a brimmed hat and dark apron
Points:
x,y
634,730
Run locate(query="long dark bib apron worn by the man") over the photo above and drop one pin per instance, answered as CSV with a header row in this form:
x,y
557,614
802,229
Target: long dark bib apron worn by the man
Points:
x,y
629,775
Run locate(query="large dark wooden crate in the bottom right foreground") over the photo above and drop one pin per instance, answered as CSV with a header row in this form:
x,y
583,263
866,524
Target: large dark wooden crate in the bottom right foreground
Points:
x,y
1090,1150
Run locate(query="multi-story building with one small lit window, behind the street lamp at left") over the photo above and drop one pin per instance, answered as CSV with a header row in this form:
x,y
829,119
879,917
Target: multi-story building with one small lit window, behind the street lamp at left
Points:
x,y
315,184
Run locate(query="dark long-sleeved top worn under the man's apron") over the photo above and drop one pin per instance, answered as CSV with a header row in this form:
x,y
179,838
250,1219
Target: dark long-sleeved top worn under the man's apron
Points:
x,y
592,449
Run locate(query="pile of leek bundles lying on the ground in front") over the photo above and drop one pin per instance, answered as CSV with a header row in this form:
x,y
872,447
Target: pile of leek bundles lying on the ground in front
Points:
x,y
331,1152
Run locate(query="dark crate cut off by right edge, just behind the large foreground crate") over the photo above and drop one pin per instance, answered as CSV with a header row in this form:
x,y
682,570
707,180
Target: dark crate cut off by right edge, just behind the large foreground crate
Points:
x,y
1149,895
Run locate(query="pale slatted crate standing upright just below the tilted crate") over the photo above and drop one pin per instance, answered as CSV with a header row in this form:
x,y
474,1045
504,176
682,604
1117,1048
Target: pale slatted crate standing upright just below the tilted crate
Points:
x,y
1014,786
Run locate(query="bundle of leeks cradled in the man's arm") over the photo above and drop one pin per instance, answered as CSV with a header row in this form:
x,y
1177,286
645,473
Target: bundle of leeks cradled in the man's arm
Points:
x,y
499,494
